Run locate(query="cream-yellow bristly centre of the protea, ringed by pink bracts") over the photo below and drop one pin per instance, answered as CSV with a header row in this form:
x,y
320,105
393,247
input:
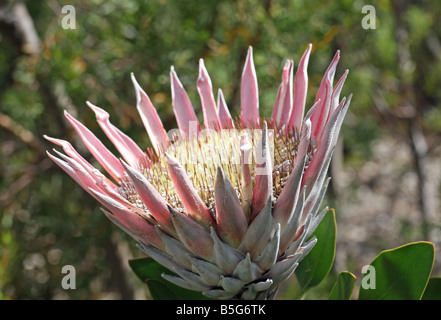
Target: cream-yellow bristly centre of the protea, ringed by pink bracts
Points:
x,y
201,155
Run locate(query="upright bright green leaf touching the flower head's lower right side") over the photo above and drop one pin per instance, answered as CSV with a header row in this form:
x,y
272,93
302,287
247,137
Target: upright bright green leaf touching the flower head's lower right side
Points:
x,y
317,264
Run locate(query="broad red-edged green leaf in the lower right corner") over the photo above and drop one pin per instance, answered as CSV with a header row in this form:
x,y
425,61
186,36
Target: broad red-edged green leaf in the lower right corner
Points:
x,y
399,274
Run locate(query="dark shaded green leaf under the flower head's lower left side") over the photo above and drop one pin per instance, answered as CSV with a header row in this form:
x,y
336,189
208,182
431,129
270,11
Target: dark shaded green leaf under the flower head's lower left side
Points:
x,y
149,271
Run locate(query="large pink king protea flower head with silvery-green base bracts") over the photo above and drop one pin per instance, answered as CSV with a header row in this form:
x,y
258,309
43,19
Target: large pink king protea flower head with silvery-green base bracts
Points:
x,y
229,208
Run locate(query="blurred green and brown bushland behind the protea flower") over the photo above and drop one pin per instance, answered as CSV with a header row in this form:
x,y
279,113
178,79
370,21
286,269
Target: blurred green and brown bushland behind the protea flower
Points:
x,y
386,172
